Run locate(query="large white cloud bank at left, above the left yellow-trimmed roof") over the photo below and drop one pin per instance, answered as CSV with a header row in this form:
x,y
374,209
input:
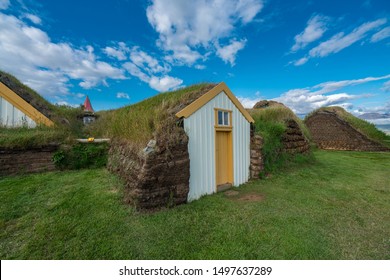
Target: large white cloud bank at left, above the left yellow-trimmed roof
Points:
x,y
28,53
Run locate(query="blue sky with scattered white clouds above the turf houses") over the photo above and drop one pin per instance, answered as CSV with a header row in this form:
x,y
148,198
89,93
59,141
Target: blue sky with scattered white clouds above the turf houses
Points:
x,y
305,54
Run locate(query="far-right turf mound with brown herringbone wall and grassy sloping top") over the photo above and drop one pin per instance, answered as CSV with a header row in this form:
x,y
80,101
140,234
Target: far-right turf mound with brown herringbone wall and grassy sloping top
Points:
x,y
333,128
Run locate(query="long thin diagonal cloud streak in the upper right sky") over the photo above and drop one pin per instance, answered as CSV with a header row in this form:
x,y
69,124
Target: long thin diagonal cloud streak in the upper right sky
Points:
x,y
341,41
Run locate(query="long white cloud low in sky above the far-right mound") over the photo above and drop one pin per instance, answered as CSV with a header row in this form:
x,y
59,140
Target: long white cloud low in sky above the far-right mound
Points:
x,y
305,100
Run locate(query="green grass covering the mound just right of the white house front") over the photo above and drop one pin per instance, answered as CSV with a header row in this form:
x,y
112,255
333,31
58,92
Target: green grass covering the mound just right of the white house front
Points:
x,y
270,124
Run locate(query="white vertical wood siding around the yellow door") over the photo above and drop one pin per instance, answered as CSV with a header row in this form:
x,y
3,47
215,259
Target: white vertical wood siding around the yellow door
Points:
x,y
201,146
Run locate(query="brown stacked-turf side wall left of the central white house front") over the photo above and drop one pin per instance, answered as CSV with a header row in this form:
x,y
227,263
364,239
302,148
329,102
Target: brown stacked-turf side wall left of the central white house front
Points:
x,y
155,177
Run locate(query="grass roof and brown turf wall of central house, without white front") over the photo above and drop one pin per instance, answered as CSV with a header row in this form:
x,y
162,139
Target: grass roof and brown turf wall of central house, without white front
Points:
x,y
149,147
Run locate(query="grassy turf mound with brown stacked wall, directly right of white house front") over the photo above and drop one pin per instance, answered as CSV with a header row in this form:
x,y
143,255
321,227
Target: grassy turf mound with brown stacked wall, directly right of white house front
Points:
x,y
283,133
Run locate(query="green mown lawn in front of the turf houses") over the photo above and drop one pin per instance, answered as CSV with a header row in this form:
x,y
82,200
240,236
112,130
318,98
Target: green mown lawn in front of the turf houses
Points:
x,y
335,208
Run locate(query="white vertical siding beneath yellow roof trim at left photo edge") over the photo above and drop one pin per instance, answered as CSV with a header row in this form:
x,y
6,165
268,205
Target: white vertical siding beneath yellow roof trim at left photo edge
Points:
x,y
10,116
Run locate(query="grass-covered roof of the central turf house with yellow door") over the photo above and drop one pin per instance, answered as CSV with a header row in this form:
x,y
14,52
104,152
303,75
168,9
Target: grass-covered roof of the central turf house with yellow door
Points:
x,y
140,122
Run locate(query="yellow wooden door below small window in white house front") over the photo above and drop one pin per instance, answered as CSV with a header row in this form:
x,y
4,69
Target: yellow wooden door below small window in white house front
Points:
x,y
223,149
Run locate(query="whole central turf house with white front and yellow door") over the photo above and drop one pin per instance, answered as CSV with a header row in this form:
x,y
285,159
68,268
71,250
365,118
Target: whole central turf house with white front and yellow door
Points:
x,y
180,145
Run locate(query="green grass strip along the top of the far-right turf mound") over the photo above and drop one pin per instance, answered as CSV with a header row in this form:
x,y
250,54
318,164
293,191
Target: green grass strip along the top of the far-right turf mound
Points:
x,y
364,127
